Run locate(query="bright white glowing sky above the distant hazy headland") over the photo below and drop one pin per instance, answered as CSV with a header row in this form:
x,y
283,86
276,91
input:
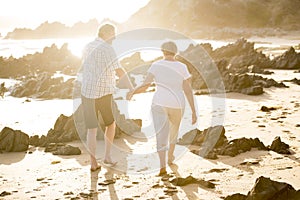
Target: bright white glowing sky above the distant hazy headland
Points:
x,y
31,13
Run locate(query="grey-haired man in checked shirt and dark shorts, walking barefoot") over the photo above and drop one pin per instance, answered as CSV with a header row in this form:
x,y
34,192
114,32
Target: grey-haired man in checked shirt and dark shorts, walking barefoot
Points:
x,y
100,65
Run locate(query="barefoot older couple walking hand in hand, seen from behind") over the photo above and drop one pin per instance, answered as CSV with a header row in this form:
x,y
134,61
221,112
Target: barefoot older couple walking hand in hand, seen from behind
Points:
x,y
172,81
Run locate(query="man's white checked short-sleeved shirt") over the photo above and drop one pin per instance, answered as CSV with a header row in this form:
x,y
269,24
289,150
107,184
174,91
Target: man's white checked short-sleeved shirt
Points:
x,y
99,64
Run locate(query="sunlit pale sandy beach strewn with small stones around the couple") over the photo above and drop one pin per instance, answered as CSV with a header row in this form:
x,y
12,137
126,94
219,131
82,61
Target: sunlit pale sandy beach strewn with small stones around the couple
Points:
x,y
36,174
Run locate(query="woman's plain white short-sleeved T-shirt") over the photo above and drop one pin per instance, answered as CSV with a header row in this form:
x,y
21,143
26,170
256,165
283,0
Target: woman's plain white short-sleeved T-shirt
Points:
x,y
169,77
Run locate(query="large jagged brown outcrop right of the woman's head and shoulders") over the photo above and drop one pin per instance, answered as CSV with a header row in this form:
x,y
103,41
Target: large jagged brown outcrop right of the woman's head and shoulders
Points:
x,y
227,68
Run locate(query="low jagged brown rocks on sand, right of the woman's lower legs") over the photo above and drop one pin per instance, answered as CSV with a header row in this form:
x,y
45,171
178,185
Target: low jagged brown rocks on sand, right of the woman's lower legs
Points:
x,y
212,142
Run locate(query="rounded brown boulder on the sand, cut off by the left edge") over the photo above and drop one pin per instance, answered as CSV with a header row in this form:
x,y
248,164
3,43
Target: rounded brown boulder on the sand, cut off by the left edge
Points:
x,y
13,140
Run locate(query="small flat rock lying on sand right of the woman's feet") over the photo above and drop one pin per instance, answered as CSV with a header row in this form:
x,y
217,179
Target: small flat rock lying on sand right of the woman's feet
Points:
x,y
179,181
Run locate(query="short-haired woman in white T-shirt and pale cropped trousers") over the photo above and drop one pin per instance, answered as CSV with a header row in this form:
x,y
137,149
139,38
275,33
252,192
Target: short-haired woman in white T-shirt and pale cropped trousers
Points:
x,y
172,80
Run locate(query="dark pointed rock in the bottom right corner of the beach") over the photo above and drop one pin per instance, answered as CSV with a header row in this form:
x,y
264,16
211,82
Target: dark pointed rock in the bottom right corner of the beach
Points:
x,y
267,189
